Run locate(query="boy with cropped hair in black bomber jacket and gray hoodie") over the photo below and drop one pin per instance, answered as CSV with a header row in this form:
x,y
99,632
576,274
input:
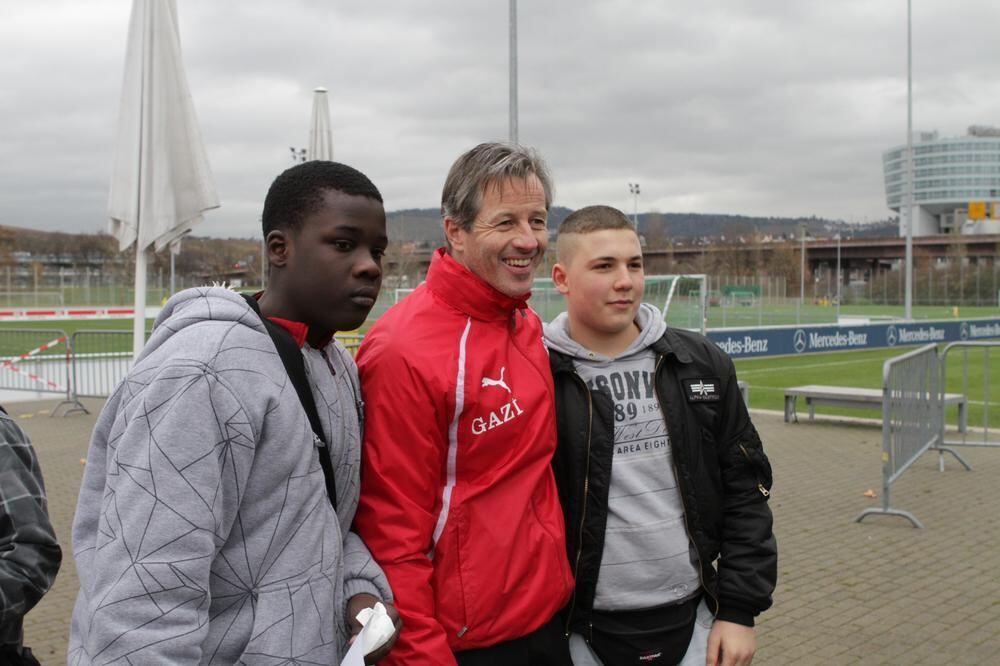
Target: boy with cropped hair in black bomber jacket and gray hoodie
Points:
x,y
661,474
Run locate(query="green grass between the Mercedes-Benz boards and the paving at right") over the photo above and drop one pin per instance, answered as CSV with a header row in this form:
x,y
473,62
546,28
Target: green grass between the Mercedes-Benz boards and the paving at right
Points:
x,y
769,377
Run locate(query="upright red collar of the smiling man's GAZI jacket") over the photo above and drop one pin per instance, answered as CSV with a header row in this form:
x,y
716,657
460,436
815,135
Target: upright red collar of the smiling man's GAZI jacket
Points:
x,y
462,289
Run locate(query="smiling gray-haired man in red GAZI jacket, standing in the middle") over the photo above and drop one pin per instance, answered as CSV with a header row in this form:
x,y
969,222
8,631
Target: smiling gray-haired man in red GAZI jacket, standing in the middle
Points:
x,y
458,501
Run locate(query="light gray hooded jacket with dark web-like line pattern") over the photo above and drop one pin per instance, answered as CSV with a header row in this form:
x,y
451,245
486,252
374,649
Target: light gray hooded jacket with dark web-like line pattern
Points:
x,y
203,532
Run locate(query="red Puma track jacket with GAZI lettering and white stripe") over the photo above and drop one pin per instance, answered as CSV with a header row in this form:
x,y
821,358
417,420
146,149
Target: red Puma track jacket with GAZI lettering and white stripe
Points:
x,y
458,501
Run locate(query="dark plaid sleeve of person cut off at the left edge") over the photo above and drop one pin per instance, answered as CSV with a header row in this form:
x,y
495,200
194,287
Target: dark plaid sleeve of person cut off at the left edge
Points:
x,y
29,553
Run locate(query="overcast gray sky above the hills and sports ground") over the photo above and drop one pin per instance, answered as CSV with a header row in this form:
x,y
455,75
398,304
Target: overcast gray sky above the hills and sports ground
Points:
x,y
756,107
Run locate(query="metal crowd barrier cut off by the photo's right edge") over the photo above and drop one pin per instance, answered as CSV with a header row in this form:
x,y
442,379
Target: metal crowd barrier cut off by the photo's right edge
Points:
x,y
983,413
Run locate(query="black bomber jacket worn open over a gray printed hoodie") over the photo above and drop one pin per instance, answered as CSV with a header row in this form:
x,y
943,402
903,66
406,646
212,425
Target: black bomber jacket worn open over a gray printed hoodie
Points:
x,y
723,475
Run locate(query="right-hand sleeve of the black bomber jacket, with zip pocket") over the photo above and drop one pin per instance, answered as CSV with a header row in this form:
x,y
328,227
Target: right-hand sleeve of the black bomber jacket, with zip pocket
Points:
x,y
748,565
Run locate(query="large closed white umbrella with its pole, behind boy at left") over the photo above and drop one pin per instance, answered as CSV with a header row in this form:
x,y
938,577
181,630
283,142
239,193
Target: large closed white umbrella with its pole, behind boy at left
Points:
x,y
161,183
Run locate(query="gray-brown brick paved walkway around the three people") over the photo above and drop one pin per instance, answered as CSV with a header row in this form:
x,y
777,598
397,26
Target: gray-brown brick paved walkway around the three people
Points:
x,y
879,592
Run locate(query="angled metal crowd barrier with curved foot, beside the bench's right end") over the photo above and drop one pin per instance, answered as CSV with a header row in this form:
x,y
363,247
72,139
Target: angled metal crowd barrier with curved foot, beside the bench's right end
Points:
x,y
912,418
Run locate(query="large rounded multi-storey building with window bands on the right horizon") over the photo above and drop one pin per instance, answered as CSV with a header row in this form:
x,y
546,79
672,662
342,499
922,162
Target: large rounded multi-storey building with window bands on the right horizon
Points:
x,y
956,184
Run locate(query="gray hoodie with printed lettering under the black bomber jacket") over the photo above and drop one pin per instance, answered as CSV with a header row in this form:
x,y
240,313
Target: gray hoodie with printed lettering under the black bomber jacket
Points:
x,y
647,559
